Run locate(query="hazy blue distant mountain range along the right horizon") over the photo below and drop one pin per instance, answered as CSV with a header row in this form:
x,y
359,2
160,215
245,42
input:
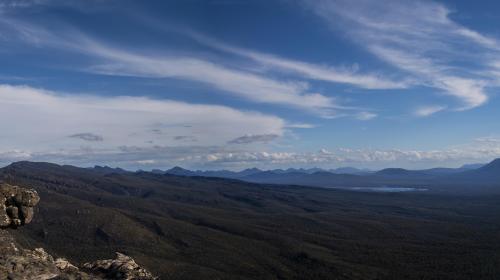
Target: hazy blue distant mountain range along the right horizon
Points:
x,y
473,174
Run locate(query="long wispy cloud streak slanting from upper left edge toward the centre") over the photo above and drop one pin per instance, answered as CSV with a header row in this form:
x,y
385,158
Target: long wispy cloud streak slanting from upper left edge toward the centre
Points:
x,y
119,61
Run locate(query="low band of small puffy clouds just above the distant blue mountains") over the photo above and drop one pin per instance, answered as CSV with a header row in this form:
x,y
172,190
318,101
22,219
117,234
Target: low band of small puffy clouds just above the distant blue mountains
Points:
x,y
481,150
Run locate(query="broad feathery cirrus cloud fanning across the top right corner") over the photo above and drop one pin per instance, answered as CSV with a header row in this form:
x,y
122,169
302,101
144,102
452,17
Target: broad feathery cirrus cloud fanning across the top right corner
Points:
x,y
419,38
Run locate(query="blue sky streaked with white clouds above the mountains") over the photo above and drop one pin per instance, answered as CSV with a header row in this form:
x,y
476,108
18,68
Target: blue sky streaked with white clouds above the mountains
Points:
x,y
233,84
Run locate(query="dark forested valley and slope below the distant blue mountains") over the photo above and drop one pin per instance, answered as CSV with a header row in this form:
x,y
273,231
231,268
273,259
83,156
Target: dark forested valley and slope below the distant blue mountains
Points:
x,y
214,228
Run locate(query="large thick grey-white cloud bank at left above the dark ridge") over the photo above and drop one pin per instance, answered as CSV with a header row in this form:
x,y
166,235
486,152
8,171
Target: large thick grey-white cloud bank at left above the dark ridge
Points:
x,y
38,120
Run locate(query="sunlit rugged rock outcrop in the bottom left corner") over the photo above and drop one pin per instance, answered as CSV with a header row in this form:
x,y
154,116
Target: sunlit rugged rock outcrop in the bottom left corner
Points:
x,y
16,209
